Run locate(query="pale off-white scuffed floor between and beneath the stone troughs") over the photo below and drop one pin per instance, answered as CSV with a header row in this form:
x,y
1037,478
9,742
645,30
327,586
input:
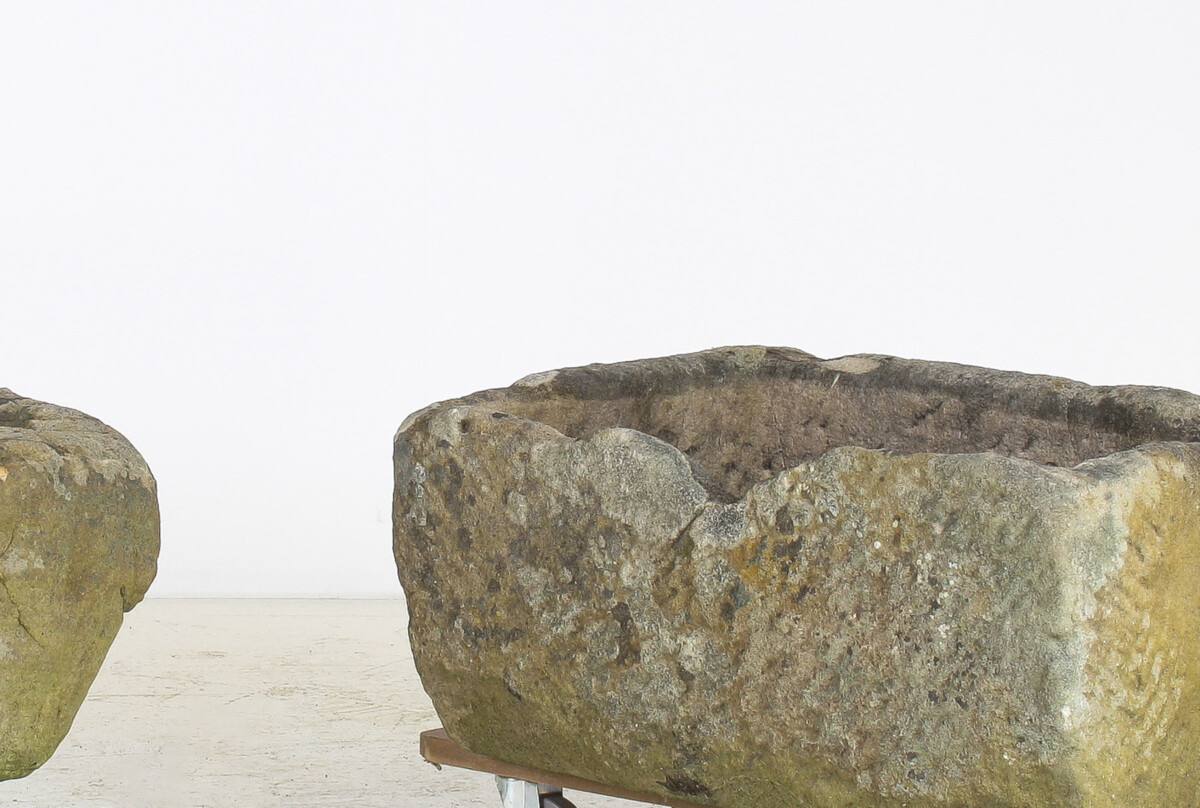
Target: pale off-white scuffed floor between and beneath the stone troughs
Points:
x,y
206,704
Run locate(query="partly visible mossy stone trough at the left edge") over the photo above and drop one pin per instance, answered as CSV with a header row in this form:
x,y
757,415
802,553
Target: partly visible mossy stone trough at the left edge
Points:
x,y
79,548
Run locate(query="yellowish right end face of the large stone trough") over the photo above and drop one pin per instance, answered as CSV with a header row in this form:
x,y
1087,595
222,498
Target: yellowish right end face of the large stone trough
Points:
x,y
1142,679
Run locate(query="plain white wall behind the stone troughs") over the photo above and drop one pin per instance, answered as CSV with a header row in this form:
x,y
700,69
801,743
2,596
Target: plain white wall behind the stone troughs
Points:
x,y
255,236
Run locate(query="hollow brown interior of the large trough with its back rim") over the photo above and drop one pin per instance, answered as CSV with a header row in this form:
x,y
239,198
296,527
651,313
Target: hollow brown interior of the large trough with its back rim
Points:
x,y
742,422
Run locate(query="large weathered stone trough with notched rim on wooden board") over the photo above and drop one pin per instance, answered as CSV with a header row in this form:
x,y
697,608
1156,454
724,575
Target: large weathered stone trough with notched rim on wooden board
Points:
x,y
749,577
